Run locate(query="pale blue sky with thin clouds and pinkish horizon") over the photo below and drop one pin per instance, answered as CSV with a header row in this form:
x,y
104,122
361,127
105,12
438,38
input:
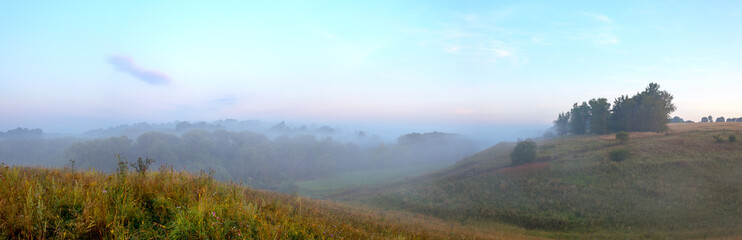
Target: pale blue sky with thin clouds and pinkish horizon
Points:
x,y
70,66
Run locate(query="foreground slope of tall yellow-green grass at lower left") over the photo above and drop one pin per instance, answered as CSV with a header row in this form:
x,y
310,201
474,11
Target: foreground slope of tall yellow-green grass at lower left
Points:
x,y
40,203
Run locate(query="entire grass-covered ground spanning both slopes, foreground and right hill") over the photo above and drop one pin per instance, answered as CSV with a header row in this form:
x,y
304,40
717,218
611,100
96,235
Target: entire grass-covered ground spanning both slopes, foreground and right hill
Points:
x,y
675,185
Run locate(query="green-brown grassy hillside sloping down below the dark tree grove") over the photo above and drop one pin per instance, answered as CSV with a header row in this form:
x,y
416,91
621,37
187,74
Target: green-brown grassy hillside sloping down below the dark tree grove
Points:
x,y
682,184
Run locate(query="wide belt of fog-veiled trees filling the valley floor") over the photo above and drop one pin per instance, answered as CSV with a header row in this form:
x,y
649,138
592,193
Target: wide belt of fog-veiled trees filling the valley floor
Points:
x,y
261,162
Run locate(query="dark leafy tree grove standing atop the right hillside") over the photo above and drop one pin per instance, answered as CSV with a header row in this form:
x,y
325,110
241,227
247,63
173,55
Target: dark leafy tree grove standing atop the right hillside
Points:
x,y
646,111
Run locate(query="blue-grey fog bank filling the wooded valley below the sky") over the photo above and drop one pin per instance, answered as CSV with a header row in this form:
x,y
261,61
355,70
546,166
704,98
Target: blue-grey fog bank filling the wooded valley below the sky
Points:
x,y
271,155
